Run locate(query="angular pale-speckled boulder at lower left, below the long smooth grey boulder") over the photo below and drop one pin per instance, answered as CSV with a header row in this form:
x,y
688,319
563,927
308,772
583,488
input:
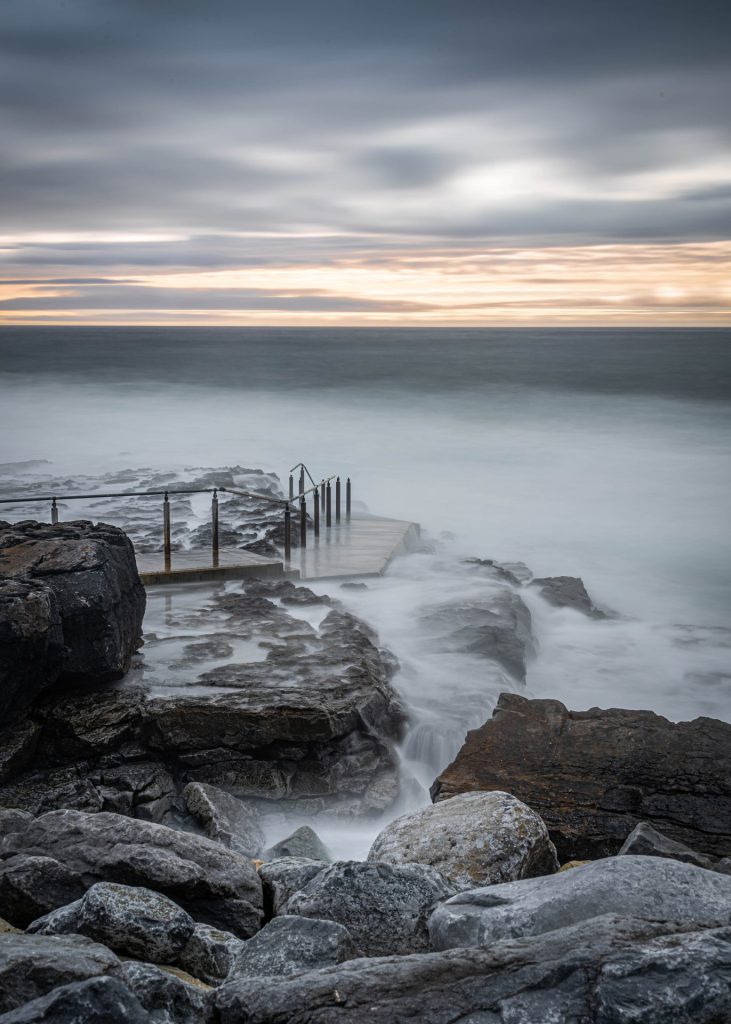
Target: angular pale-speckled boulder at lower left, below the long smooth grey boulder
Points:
x,y
131,920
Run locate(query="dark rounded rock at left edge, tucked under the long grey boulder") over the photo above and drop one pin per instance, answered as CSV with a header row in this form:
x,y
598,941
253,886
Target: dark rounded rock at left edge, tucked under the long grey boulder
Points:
x,y
32,886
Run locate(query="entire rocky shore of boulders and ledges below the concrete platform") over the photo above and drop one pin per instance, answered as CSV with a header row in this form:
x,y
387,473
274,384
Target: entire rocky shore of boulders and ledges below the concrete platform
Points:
x,y
574,867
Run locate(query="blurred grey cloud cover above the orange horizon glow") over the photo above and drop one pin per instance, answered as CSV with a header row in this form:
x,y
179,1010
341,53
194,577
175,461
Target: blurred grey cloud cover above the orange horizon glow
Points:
x,y
234,135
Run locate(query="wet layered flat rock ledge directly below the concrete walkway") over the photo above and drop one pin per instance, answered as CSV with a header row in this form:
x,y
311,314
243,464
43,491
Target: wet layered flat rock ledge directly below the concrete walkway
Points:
x,y
196,719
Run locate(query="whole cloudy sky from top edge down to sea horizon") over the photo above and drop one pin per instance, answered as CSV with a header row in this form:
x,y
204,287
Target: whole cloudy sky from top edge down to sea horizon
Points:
x,y
412,162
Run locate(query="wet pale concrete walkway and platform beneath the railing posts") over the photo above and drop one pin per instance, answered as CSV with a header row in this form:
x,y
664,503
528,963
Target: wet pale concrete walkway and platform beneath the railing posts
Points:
x,y
363,547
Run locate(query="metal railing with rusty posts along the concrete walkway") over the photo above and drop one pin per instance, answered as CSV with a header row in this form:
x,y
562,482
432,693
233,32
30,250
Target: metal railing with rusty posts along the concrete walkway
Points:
x,y
322,503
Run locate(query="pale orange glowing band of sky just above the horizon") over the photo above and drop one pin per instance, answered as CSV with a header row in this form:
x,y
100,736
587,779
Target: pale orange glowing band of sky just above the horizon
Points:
x,y
607,285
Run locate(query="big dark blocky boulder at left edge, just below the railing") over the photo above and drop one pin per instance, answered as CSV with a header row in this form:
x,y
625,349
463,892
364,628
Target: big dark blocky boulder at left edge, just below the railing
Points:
x,y
71,607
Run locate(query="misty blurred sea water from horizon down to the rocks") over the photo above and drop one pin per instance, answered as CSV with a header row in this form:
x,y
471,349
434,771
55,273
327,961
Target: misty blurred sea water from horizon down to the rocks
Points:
x,y
603,454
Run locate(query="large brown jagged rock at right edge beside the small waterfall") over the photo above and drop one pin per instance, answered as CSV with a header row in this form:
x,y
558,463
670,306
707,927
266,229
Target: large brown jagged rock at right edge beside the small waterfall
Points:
x,y
592,776
